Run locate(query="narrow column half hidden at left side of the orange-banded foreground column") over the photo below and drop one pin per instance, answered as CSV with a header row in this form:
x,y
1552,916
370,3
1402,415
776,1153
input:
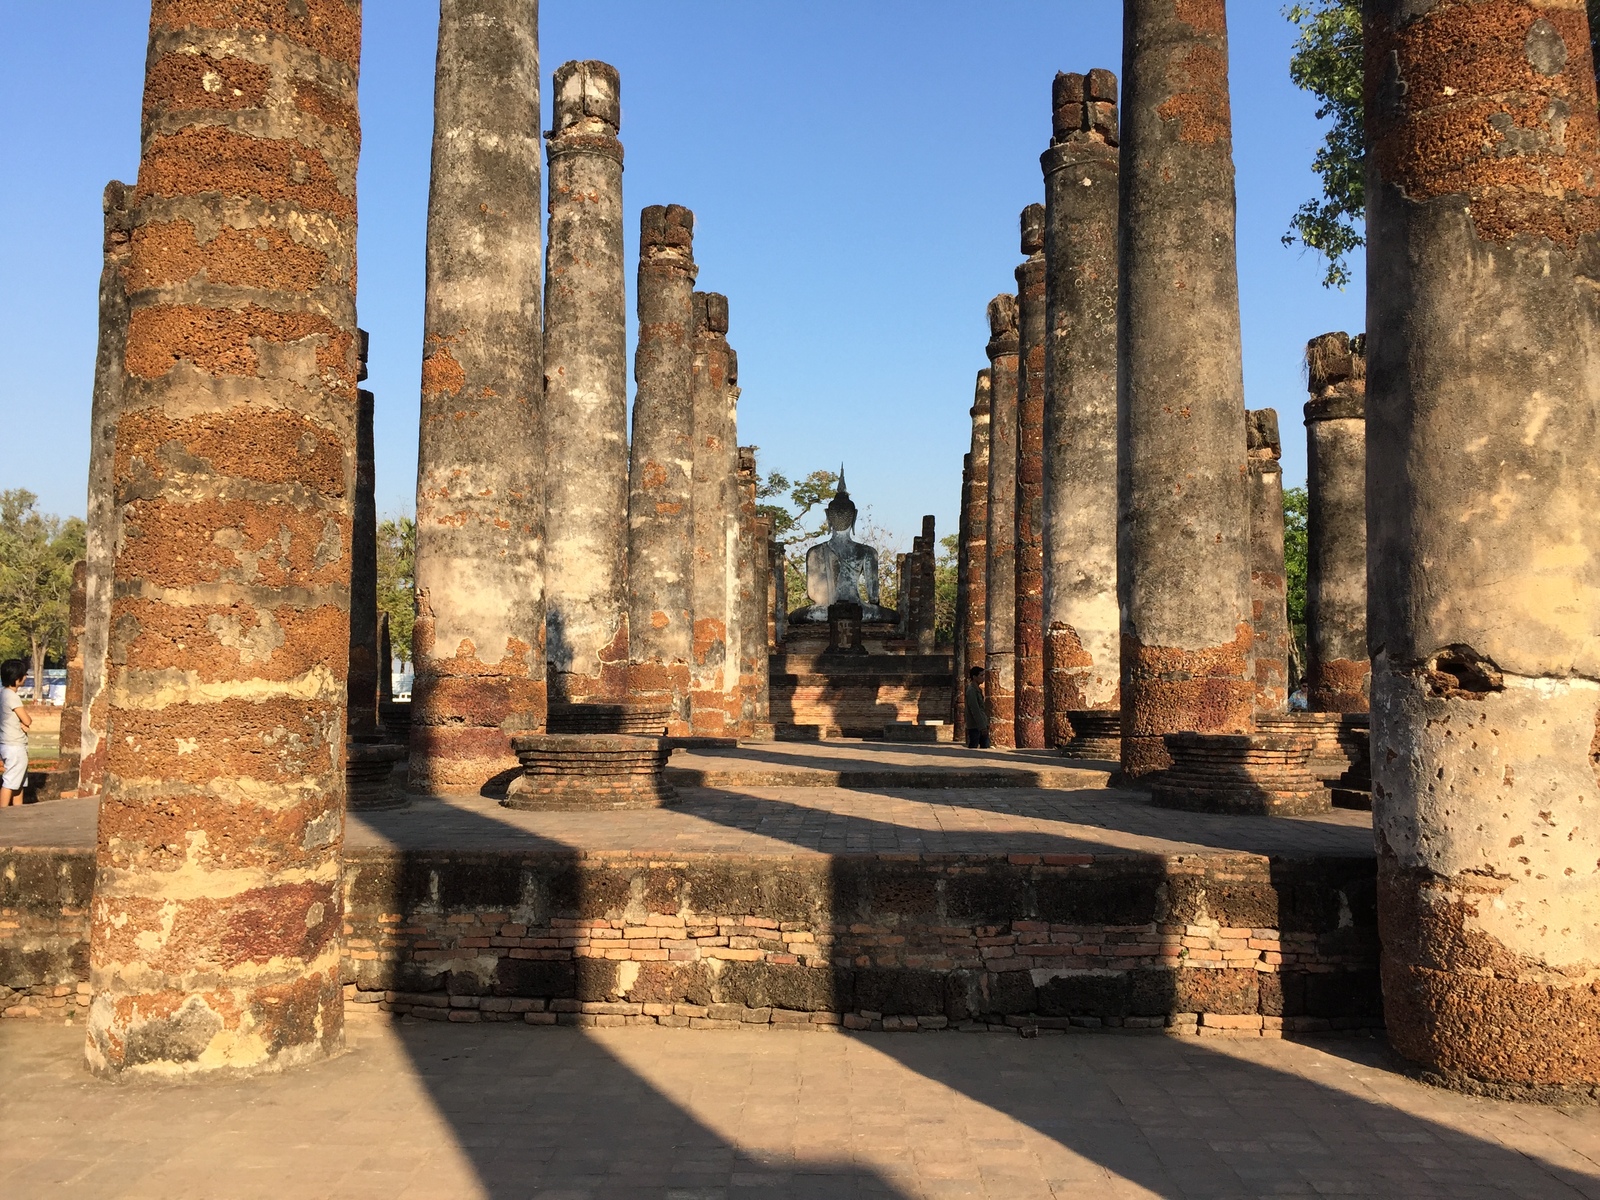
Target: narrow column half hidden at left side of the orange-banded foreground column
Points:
x,y
102,534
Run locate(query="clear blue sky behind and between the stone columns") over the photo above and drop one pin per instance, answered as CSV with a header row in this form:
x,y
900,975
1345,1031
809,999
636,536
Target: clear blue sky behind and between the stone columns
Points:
x,y
857,174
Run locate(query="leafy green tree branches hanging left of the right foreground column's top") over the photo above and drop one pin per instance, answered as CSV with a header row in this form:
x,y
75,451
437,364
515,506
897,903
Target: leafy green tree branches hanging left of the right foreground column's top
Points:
x,y
1327,63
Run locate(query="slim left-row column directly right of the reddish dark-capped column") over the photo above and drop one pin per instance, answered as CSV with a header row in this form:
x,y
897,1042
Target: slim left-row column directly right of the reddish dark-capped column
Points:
x,y
713,508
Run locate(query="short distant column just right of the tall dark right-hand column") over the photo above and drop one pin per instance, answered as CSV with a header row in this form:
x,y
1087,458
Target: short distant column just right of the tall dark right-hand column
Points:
x,y
1270,614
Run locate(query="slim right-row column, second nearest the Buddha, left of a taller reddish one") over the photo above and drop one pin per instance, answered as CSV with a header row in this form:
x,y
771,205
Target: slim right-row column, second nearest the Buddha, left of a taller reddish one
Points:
x,y
1001,551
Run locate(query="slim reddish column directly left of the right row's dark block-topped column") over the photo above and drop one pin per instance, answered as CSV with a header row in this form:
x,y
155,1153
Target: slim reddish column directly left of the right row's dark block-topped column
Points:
x,y
1031,484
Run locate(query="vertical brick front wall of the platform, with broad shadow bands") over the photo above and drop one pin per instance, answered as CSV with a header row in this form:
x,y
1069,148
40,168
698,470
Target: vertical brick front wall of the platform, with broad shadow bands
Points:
x,y
1220,942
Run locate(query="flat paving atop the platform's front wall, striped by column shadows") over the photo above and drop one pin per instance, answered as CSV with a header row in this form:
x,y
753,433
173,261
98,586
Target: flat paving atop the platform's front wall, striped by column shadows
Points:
x,y
788,822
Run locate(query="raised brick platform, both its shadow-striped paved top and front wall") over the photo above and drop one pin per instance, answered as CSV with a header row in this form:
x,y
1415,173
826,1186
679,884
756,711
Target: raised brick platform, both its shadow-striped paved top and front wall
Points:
x,y
890,908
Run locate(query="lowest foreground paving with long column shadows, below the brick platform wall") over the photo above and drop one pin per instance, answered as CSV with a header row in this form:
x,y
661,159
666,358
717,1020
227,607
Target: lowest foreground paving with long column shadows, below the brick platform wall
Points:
x,y
561,1114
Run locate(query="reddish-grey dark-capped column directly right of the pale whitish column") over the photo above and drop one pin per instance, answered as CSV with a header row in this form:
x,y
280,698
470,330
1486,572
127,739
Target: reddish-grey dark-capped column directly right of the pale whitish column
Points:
x,y
662,460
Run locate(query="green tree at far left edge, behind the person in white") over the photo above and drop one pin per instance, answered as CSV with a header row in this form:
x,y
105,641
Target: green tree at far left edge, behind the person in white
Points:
x,y
38,553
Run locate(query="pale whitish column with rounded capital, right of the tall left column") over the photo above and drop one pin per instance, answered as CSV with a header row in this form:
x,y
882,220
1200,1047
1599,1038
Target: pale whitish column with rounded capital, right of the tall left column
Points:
x,y
586,393
